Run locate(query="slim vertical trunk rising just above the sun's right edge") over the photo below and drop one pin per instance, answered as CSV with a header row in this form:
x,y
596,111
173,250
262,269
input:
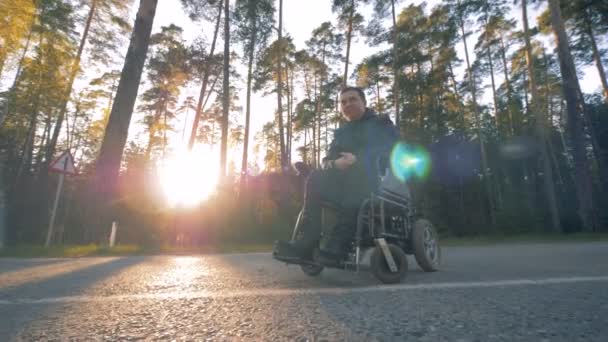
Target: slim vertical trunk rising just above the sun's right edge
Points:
x,y
226,92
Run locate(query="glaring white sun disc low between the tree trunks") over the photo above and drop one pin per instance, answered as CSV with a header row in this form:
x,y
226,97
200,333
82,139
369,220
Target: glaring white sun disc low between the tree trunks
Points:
x,y
188,178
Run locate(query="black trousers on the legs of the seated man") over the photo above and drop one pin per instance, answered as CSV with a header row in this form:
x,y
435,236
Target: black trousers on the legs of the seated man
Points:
x,y
340,190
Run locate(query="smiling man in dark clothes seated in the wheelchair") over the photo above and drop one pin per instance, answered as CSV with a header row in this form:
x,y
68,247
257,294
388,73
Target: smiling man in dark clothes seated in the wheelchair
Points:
x,y
348,175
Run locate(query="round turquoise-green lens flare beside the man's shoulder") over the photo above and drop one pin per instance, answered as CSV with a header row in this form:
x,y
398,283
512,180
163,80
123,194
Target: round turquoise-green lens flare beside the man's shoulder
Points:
x,y
409,161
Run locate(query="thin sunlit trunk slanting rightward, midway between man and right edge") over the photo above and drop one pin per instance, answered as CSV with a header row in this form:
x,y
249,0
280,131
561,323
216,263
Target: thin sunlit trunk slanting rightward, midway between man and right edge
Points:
x,y
484,159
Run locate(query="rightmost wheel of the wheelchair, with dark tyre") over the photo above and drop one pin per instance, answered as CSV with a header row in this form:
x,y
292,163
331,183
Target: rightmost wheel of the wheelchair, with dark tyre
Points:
x,y
425,242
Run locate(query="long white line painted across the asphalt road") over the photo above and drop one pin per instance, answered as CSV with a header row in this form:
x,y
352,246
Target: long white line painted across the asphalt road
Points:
x,y
313,291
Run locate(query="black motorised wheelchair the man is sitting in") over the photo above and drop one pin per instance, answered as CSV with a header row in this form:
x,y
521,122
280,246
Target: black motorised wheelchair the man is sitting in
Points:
x,y
388,229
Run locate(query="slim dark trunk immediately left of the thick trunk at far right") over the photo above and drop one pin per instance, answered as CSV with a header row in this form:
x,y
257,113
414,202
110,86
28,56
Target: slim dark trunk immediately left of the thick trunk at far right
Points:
x,y
549,185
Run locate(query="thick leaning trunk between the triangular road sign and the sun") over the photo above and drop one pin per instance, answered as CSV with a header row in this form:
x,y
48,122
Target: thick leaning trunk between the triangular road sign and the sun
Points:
x,y
115,137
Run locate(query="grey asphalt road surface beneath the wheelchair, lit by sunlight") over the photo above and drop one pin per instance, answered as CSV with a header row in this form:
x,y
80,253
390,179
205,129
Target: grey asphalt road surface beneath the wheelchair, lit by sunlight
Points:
x,y
536,292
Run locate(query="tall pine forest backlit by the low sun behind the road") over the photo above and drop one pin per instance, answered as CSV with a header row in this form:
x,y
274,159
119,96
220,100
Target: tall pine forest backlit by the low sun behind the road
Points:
x,y
493,94
